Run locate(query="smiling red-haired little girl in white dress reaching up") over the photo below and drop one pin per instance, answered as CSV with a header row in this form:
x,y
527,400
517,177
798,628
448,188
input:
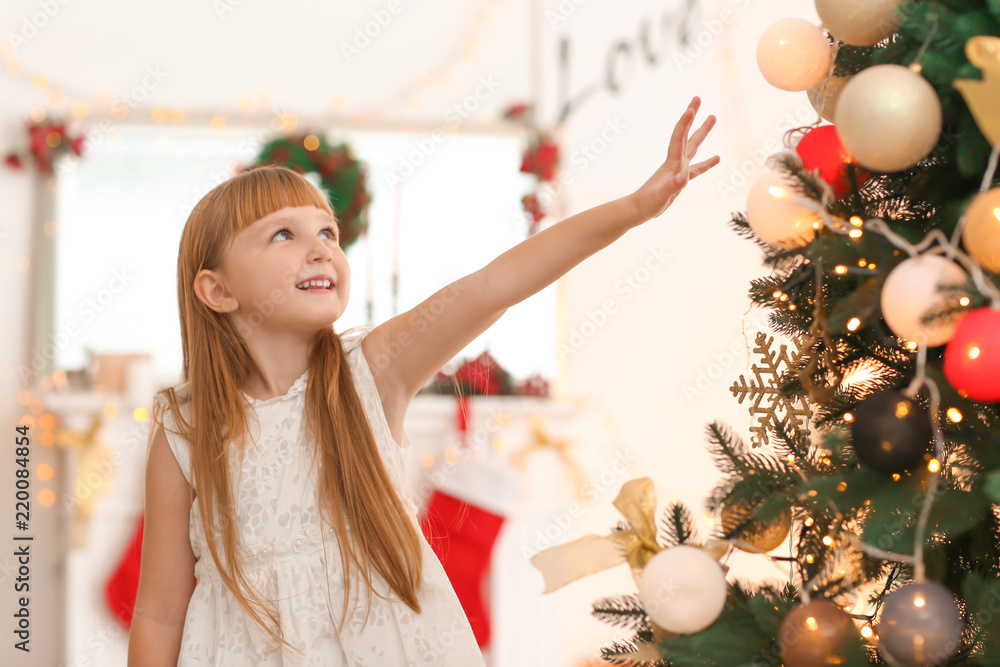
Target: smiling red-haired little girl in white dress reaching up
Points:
x,y
257,553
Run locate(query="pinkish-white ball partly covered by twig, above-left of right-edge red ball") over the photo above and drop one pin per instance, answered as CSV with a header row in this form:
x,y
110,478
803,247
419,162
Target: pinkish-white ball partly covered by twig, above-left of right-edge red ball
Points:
x,y
911,291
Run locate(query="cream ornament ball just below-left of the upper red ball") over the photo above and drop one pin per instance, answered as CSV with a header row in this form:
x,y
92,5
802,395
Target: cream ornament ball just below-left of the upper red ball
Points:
x,y
774,214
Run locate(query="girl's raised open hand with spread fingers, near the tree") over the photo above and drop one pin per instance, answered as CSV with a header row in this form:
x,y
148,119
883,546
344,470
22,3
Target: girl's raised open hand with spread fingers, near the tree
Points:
x,y
659,192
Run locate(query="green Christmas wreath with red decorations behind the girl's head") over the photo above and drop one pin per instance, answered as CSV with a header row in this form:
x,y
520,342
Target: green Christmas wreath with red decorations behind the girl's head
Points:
x,y
341,175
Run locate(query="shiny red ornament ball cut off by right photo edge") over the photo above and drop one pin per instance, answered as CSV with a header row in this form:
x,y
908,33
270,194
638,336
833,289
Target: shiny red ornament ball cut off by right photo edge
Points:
x,y
972,356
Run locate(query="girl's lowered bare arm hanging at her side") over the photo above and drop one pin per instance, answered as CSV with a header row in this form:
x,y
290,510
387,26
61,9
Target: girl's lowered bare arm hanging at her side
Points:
x,y
166,573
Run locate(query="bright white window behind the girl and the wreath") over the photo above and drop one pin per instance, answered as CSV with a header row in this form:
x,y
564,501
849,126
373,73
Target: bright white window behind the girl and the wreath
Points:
x,y
122,208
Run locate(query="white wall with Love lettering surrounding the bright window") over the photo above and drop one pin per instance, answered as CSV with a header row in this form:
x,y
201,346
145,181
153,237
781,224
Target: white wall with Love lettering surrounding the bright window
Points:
x,y
680,322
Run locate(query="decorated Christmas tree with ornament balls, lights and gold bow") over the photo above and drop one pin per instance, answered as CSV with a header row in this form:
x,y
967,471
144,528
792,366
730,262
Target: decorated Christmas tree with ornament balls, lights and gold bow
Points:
x,y
877,451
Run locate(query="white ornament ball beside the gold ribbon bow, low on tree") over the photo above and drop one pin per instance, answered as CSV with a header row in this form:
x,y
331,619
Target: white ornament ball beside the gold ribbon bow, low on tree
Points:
x,y
683,589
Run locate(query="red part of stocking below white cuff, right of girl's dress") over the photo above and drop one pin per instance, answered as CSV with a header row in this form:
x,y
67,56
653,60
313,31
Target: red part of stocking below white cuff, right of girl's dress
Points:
x,y
462,535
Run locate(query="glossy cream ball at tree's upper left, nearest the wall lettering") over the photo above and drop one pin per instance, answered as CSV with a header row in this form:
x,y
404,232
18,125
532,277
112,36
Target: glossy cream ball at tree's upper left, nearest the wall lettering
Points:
x,y
794,54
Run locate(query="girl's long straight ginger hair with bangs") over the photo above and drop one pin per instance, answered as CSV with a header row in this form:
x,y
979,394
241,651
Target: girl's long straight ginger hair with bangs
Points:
x,y
355,490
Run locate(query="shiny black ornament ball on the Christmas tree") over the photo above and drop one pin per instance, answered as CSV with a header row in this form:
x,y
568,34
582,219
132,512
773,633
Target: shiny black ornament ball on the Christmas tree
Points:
x,y
891,433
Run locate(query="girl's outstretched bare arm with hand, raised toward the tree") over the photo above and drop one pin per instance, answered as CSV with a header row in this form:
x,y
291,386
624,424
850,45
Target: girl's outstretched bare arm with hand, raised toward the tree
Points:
x,y
411,347
